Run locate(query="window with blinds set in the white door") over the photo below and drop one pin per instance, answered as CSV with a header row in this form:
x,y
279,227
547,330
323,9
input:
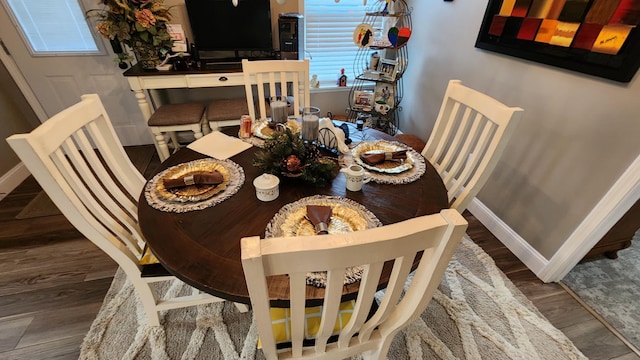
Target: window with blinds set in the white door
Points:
x,y
51,27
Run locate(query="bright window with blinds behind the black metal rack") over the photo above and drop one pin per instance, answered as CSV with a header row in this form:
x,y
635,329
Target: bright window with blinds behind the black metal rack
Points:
x,y
329,37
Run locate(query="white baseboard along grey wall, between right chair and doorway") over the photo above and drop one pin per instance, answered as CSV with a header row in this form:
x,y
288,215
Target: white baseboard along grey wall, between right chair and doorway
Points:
x,y
514,242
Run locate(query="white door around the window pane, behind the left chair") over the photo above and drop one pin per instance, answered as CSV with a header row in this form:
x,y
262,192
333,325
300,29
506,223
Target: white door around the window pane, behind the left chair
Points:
x,y
59,81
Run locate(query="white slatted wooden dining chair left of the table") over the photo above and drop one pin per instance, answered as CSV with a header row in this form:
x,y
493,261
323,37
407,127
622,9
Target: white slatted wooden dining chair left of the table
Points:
x,y
78,160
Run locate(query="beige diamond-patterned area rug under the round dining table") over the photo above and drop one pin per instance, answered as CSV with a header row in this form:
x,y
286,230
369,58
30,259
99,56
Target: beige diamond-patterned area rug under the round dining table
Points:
x,y
477,313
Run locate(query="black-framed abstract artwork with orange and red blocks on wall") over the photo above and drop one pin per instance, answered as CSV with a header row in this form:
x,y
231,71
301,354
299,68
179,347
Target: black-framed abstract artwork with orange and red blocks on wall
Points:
x,y
596,37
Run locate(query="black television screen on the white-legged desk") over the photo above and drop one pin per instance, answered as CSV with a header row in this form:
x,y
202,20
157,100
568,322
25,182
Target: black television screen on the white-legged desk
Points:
x,y
217,25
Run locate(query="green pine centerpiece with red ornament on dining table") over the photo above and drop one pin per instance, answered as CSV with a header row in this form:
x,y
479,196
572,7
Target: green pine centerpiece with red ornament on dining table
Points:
x,y
287,155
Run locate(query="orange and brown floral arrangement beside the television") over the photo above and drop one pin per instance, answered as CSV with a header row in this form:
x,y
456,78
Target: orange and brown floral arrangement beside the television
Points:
x,y
139,24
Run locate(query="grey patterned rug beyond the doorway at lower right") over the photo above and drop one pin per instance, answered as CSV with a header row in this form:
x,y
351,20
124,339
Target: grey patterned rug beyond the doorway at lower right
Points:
x,y
612,288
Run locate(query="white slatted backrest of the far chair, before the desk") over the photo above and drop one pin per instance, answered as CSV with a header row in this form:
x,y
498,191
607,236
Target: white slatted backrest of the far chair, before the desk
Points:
x,y
277,75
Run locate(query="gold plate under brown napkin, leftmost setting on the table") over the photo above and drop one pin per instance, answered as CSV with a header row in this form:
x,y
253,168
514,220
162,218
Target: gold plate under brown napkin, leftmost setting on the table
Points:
x,y
192,193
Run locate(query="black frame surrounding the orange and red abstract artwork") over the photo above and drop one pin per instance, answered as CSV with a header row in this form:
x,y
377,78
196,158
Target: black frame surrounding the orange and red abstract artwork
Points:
x,y
619,67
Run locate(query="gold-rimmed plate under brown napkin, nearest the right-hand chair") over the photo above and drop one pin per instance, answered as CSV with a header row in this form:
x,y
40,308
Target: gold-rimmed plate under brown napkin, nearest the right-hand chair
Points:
x,y
382,146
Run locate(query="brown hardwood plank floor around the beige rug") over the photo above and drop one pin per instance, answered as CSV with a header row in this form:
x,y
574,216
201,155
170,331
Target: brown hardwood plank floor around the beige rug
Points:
x,y
53,282
